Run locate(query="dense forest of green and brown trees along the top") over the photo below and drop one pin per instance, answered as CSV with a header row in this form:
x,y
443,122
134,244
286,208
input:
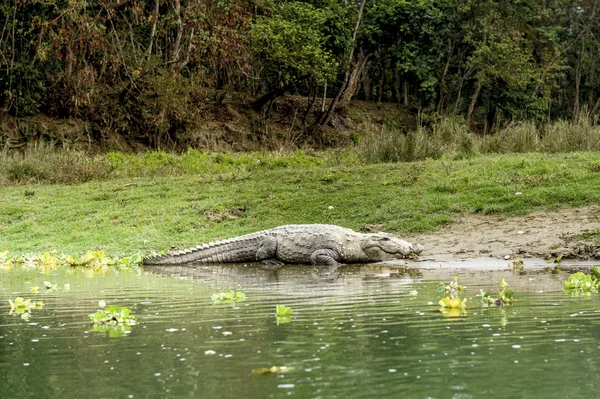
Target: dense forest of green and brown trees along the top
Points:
x,y
142,66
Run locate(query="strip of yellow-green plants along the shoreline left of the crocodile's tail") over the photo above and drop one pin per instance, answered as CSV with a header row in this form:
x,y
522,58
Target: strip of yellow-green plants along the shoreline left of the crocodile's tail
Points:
x,y
49,261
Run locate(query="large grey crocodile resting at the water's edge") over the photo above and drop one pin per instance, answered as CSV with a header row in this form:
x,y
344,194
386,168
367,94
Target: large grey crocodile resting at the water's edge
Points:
x,y
317,244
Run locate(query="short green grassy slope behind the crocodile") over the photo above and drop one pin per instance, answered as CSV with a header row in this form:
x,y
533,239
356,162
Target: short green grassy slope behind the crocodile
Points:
x,y
123,216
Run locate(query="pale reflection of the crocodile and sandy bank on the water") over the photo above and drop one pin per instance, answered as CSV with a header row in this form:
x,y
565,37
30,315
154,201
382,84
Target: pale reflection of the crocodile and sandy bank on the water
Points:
x,y
341,279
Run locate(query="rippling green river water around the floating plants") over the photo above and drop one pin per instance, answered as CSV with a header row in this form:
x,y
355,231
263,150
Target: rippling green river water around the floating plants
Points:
x,y
355,333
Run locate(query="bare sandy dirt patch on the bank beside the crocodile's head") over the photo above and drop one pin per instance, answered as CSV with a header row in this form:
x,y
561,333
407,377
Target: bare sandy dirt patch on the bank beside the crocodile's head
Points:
x,y
547,234
